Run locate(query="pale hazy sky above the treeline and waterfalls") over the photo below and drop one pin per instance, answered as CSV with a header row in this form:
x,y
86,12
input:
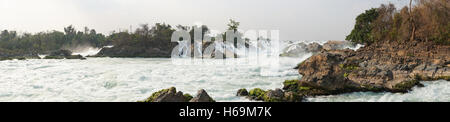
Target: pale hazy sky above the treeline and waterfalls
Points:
x,y
295,19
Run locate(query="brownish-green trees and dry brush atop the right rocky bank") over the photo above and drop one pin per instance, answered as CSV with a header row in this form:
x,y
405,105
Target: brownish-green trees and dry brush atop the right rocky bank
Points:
x,y
427,20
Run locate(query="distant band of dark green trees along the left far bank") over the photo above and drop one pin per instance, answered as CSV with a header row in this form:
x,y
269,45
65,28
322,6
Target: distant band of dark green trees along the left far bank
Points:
x,y
43,42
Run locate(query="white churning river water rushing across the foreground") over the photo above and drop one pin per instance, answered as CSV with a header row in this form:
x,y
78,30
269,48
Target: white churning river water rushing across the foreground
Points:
x,y
132,79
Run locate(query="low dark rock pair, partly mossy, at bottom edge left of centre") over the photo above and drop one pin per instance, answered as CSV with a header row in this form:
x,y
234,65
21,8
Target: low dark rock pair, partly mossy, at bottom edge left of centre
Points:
x,y
171,95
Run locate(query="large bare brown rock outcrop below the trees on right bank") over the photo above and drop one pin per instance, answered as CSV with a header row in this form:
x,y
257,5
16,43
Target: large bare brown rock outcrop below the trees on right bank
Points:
x,y
382,66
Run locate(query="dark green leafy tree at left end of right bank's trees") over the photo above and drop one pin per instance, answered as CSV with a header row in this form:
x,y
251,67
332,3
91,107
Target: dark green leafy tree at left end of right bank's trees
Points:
x,y
362,31
